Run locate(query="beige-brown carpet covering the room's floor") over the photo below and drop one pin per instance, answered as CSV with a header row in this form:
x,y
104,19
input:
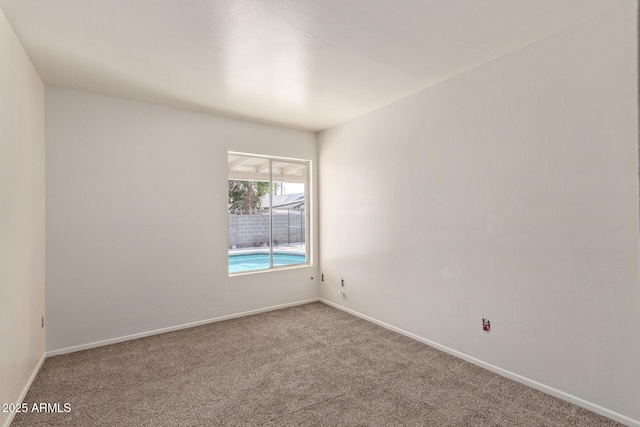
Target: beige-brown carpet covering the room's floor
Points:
x,y
301,366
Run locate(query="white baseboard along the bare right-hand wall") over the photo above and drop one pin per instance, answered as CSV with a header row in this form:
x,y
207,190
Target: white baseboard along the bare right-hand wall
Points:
x,y
503,372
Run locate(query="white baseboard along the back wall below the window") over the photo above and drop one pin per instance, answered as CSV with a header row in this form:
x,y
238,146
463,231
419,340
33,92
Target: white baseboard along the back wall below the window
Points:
x,y
173,328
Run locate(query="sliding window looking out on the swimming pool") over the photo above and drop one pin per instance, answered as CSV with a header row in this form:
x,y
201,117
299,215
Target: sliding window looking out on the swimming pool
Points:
x,y
268,212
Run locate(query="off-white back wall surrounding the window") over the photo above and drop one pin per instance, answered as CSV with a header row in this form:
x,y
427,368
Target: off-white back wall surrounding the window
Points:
x,y
137,223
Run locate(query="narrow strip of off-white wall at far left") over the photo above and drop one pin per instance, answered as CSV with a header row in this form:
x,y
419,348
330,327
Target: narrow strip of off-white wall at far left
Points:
x,y
21,218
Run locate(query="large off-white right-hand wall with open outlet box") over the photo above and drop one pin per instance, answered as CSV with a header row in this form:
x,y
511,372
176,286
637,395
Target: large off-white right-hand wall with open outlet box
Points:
x,y
508,192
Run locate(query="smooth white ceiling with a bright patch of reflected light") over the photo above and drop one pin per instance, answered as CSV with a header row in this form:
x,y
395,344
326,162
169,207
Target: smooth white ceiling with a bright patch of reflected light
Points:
x,y
309,64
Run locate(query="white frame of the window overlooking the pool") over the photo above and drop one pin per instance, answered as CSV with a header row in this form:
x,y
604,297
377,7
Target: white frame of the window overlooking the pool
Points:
x,y
307,212
